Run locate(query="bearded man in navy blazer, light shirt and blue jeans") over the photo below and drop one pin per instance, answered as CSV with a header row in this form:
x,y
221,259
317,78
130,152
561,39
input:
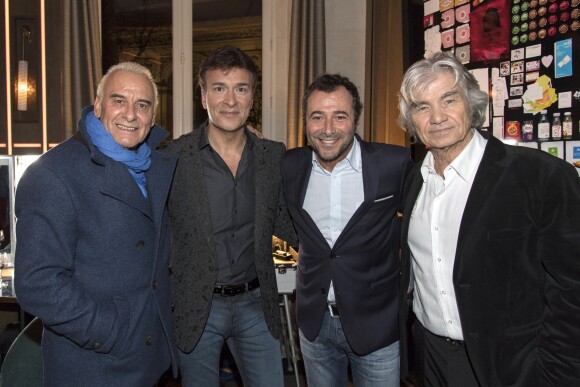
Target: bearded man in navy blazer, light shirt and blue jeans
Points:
x,y
343,195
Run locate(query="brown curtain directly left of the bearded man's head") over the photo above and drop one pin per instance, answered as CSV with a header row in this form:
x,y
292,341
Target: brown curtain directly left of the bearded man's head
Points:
x,y
307,61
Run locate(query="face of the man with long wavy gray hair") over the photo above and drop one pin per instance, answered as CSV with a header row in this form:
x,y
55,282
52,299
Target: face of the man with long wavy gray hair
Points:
x,y
441,117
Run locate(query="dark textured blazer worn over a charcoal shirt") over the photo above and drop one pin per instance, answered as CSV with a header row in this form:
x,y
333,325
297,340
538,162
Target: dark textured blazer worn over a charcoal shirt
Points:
x,y
193,256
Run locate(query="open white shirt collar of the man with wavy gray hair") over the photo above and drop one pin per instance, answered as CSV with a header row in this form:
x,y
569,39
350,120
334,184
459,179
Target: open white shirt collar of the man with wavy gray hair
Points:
x,y
465,164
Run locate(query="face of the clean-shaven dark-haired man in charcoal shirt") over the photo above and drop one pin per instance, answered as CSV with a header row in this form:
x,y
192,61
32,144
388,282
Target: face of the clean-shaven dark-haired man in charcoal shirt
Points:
x,y
227,97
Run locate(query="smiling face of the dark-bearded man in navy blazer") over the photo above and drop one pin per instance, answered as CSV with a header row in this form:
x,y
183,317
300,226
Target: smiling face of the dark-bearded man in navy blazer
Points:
x,y
330,125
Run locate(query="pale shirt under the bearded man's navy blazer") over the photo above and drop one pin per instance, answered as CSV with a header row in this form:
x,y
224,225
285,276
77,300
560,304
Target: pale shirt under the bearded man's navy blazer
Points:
x,y
333,197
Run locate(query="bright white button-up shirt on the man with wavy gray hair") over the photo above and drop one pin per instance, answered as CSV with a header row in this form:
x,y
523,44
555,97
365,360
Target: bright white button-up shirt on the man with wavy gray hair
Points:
x,y
433,233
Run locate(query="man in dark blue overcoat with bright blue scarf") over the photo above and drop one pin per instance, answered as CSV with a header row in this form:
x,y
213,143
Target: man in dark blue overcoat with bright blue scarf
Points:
x,y
93,242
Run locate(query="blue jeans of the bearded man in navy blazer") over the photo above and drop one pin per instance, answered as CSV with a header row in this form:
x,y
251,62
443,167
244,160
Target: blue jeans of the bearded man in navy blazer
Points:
x,y
326,360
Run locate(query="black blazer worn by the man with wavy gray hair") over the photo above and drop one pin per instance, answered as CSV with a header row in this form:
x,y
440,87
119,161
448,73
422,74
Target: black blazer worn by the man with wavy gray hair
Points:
x,y
517,267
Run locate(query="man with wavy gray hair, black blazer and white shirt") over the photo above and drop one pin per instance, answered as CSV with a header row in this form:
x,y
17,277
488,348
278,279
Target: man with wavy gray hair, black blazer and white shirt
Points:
x,y
491,243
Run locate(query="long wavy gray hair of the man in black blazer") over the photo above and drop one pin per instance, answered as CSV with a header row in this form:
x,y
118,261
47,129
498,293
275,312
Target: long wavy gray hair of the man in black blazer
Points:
x,y
422,73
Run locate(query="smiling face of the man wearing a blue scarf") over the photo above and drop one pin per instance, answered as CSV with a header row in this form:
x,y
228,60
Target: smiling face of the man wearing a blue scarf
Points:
x,y
127,107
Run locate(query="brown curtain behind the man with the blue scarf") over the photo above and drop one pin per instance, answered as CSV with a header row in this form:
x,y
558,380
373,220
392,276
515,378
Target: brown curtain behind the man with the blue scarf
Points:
x,y
82,59
